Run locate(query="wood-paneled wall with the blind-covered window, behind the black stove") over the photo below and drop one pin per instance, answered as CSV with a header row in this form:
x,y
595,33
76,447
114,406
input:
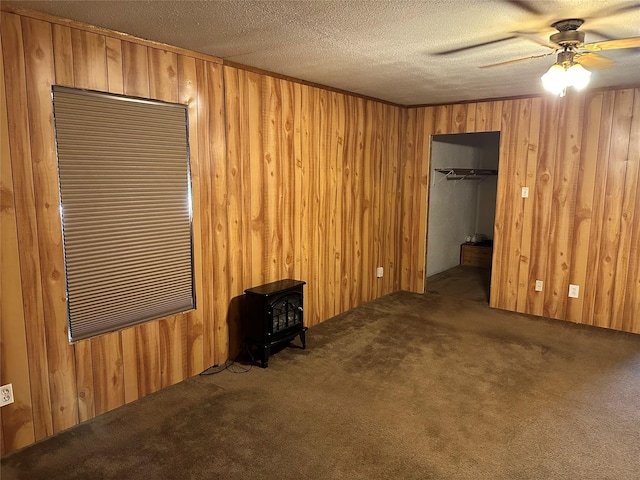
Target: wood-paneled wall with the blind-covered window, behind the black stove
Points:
x,y
288,181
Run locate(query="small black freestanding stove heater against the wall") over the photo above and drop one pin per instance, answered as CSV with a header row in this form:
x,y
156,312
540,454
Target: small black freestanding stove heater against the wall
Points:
x,y
273,316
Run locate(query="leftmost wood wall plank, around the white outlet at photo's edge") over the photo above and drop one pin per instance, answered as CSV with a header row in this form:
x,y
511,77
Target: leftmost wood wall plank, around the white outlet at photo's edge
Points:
x,y
16,421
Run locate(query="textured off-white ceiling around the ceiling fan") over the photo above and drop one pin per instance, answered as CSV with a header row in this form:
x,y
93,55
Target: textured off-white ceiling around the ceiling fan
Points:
x,y
382,49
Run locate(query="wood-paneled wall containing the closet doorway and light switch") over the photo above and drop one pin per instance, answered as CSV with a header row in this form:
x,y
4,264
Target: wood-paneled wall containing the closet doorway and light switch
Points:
x,y
579,156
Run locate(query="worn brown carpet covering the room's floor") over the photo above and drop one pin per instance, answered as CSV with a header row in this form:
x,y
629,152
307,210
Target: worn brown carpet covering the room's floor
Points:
x,y
434,386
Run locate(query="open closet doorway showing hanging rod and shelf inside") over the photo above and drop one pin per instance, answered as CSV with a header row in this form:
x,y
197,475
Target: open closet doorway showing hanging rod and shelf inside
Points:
x,y
462,206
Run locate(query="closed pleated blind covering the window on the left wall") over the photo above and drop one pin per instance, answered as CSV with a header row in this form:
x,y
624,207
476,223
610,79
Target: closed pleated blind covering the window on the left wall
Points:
x,y
125,201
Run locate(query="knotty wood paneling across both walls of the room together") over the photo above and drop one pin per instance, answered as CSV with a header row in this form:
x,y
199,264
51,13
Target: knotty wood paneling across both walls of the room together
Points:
x,y
290,180
